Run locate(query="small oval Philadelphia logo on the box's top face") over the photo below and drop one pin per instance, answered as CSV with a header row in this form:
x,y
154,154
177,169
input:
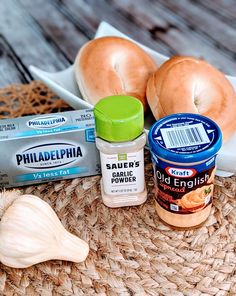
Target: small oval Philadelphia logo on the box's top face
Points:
x,y
45,122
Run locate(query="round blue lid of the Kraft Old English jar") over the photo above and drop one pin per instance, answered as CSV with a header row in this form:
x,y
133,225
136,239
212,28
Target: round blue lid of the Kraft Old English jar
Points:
x,y
185,138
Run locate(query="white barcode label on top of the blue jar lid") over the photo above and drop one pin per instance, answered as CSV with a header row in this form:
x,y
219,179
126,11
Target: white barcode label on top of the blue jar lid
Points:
x,y
183,136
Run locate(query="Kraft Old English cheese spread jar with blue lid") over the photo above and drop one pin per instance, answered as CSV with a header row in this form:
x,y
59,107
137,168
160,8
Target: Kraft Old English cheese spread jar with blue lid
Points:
x,y
183,149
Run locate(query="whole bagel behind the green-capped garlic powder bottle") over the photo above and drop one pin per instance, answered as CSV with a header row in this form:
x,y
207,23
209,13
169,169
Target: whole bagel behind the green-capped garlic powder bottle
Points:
x,y
112,65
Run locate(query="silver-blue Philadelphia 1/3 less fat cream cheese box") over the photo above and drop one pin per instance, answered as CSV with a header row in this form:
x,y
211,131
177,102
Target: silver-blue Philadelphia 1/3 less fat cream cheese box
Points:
x,y
43,148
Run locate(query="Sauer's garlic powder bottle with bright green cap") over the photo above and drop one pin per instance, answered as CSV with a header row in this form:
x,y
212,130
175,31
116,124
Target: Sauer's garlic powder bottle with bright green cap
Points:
x,y
120,139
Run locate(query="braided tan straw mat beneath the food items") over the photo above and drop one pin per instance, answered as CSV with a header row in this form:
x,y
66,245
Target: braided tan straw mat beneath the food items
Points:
x,y
131,251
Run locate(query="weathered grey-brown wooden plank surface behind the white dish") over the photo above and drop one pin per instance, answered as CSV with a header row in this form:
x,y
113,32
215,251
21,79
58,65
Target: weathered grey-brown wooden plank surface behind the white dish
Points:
x,y
48,34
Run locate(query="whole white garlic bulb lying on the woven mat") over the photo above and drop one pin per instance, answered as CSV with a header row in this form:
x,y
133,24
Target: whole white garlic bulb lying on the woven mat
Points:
x,y
30,232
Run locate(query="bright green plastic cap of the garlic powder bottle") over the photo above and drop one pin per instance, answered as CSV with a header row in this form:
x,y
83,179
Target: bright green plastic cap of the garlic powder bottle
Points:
x,y
119,118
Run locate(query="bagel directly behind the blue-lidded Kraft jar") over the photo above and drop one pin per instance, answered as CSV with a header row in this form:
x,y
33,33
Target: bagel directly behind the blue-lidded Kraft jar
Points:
x,y
190,85
